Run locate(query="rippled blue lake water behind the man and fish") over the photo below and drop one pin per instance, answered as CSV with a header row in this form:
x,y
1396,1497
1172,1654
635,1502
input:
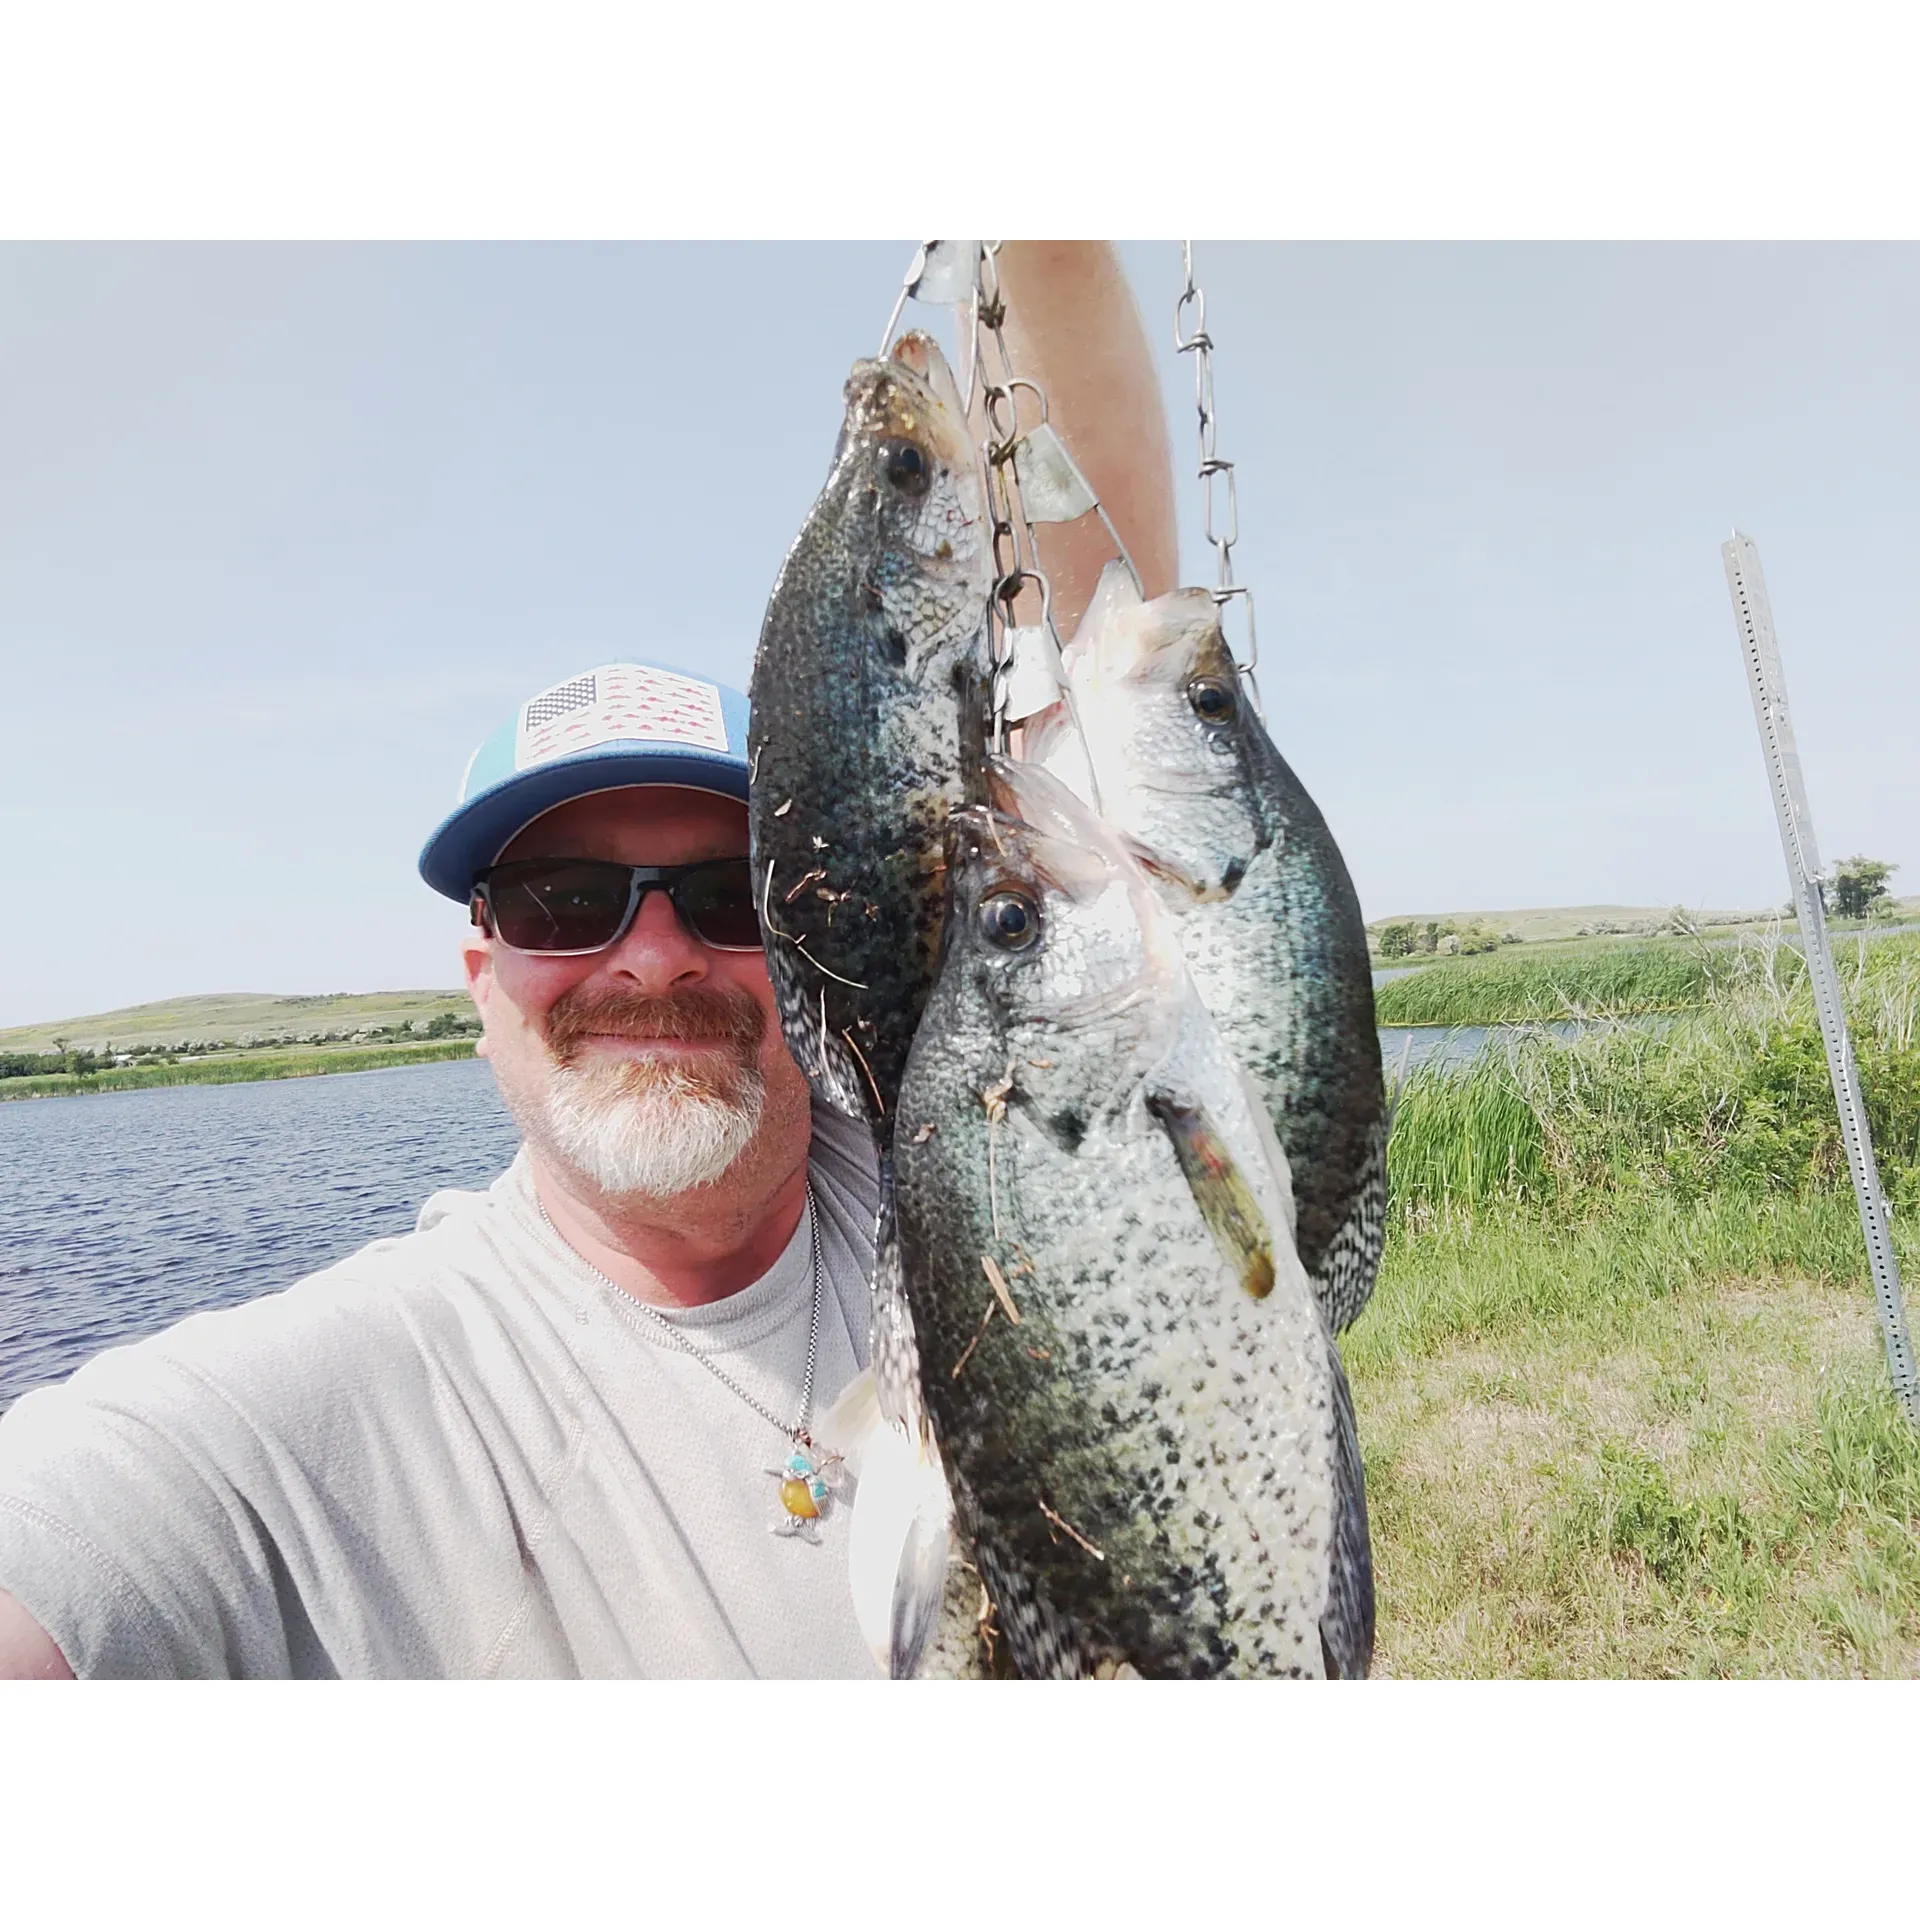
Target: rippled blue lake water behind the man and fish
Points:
x,y
126,1212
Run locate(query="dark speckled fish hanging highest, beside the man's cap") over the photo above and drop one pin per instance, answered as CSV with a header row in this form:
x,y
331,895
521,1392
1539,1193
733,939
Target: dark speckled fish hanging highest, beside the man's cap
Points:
x,y
869,727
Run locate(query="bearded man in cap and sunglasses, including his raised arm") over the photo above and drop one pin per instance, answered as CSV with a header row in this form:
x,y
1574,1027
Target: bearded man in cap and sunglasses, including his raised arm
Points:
x,y
565,1426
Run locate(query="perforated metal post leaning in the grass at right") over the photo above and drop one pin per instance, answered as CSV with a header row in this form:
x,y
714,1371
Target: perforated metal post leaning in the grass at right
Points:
x,y
1767,683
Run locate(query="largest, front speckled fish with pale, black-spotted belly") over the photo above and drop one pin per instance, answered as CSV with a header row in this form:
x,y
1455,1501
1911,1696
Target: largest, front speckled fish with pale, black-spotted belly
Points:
x,y
1134,1387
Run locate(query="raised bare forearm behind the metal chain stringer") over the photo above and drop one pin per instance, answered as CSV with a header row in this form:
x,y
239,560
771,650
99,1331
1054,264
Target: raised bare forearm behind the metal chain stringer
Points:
x,y
1072,325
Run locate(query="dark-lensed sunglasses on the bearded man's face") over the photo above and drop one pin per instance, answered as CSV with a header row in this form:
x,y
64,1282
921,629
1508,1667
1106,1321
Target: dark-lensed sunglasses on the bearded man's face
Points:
x,y
585,907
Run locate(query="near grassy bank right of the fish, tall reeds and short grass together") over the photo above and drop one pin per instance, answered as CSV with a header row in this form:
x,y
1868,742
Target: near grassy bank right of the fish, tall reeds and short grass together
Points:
x,y
1621,1387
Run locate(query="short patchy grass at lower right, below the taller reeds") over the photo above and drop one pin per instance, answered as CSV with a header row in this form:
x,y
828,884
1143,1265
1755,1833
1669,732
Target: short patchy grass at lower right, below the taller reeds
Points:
x,y
1664,1445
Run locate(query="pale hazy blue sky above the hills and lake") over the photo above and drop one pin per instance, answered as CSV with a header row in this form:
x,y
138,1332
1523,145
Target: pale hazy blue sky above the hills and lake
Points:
x,y
287,529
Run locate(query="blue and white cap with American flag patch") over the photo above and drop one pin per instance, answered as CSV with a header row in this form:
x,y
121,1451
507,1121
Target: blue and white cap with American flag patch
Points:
x,y
627,725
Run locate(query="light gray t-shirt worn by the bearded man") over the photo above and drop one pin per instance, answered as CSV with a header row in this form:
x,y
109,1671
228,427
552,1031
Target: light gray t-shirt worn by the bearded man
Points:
x,y
456,1454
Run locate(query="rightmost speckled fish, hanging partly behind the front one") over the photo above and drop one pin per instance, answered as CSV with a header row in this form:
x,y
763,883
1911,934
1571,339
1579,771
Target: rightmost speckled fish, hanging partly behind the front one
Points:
x,y
1266,911
